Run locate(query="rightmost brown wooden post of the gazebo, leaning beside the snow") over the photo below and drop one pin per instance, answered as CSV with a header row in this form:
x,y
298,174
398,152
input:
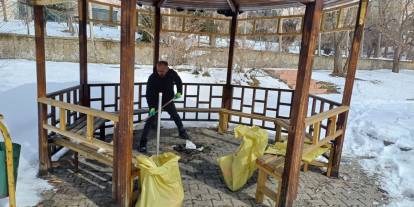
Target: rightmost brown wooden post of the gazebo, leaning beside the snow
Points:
x,y
349,83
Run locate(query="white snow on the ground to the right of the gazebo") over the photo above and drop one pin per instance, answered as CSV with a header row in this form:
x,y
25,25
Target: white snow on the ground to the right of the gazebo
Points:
x,y
380,128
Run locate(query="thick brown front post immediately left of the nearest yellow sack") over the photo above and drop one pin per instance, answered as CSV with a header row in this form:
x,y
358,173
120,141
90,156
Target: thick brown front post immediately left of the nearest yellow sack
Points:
x,y
123,151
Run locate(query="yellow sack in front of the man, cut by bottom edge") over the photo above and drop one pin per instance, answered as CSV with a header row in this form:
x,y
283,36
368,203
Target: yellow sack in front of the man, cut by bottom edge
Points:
x,y
160,181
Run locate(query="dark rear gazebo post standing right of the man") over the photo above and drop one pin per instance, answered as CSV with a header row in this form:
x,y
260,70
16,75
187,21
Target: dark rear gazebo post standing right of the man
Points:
x,y
228,89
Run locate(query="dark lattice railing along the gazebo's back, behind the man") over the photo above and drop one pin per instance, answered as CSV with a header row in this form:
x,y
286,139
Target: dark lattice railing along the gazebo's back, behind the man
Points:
x,y
202,102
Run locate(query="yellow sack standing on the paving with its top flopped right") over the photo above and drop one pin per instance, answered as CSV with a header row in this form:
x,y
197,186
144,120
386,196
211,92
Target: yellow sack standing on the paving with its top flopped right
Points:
x,y
238,167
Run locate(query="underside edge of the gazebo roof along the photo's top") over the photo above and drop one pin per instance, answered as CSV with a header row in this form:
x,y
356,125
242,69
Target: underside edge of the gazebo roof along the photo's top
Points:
x,y
242,5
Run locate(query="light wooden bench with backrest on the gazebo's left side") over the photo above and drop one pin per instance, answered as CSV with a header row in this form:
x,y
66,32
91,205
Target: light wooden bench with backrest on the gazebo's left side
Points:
x,y
79,136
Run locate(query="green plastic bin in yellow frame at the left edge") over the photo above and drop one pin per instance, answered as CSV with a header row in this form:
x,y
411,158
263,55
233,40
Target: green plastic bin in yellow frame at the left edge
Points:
x,y
4,192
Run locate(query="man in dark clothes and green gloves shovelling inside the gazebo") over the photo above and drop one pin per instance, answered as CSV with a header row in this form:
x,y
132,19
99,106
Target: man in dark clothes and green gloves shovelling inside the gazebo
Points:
x,y
162,81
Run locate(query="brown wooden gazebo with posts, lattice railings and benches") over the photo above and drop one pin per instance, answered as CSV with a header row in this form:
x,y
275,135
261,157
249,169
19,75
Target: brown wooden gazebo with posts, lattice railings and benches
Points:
x,y
74,103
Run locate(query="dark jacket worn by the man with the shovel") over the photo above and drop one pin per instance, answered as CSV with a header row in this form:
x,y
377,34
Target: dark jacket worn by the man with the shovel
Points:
x,y
165,85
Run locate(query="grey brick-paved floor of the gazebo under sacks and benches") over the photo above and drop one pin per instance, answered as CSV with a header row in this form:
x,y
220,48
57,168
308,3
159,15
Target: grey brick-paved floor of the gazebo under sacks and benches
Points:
x,y
203,182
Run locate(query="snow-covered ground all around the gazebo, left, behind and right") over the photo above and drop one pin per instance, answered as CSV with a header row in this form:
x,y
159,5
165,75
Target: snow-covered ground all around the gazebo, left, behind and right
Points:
x,y
380,131
